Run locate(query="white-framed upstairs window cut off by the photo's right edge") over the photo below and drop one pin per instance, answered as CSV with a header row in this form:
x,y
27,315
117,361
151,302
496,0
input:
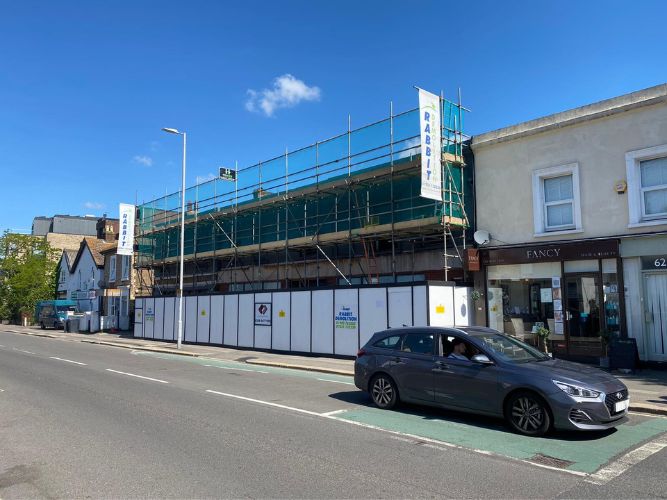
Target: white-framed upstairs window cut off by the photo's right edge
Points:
x,y
646,170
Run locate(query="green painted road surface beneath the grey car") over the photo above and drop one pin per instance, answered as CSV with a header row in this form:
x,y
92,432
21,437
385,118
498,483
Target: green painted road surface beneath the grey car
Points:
x,y
587,451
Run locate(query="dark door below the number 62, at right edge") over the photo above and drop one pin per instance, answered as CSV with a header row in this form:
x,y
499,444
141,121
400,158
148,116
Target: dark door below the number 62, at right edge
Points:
x,y
655,316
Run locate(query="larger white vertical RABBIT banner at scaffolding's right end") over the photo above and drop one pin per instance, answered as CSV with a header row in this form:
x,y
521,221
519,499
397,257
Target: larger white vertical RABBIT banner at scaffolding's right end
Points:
x,y
429,123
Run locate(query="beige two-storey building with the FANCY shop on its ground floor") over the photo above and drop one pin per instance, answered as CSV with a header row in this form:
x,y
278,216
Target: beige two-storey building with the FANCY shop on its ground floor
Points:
x,y
576,207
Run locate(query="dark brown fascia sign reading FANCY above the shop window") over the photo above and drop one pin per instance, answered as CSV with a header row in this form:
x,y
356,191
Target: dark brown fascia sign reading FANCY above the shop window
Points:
x,y
548,253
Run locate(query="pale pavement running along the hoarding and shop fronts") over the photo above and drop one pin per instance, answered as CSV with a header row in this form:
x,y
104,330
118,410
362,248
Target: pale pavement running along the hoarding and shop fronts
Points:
x,y
648,387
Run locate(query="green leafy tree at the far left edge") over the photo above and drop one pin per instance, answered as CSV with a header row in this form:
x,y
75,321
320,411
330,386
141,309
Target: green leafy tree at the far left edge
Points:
x,y
27,274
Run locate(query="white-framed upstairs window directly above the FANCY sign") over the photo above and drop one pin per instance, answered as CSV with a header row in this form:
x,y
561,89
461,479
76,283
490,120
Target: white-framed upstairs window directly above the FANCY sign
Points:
x,y
556,204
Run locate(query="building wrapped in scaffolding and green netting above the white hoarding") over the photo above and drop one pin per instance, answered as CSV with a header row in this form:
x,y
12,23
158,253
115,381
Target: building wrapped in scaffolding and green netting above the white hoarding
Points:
x,y
346,210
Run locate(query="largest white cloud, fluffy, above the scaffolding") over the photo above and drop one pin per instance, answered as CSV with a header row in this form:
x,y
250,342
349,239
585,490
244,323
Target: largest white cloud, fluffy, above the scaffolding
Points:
x,y
287,92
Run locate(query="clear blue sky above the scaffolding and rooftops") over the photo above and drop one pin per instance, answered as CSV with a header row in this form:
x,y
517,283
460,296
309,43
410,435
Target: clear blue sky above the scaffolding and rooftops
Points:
x,y
85,87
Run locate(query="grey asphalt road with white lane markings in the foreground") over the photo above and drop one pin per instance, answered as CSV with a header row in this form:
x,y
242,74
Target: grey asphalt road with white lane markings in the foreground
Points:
x,y
82,420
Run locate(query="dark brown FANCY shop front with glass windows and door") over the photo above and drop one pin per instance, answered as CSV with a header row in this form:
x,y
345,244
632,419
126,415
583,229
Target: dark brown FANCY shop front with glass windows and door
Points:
x,y
572,289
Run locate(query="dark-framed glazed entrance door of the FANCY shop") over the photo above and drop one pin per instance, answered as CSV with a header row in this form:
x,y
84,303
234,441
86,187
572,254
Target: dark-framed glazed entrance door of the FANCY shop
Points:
x,y
582,311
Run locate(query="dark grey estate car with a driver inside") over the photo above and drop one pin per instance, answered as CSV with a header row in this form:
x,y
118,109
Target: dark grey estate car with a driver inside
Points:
x,y
480,370
